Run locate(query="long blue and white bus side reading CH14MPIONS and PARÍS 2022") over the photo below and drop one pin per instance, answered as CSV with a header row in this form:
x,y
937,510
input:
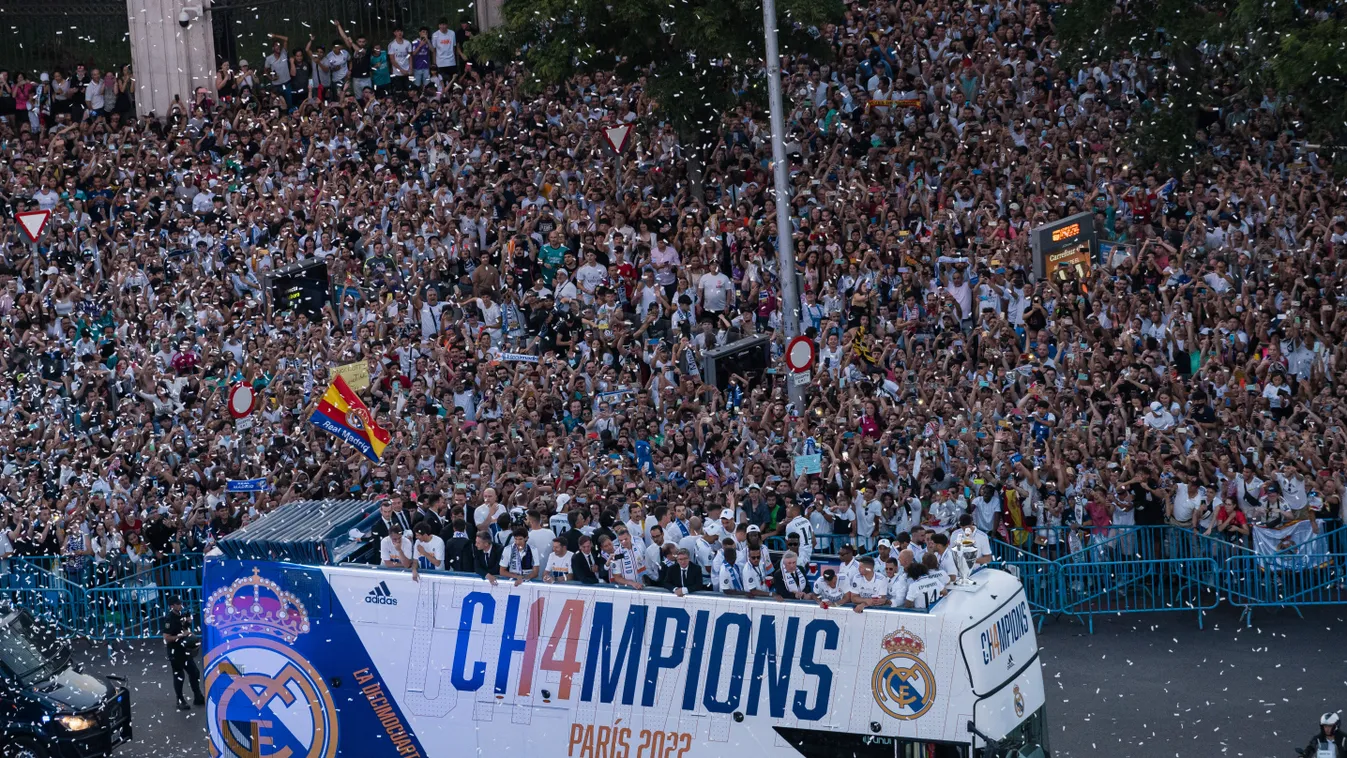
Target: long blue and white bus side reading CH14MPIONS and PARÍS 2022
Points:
x,y
350,662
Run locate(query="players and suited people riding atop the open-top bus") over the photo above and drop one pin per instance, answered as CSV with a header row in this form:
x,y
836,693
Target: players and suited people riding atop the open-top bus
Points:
x,y
673,550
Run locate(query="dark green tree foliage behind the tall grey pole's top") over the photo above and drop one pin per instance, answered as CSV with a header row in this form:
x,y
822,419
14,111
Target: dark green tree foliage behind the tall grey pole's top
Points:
x,y
698,57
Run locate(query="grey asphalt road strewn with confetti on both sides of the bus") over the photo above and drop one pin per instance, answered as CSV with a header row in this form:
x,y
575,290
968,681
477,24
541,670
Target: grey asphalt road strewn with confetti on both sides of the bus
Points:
x,y
1140,687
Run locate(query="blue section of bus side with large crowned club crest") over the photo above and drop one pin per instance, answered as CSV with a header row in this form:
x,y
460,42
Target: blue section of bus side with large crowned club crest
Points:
x,y
286,671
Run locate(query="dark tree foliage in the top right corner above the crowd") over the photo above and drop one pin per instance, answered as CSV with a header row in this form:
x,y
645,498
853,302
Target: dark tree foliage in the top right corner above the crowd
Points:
x,y
1214,55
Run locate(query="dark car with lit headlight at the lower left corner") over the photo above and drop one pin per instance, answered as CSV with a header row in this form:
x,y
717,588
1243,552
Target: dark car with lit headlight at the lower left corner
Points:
x,y
49,709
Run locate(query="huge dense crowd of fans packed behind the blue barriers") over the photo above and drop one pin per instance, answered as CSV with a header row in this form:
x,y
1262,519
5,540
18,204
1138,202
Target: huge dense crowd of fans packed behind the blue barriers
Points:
x,y
534,314
